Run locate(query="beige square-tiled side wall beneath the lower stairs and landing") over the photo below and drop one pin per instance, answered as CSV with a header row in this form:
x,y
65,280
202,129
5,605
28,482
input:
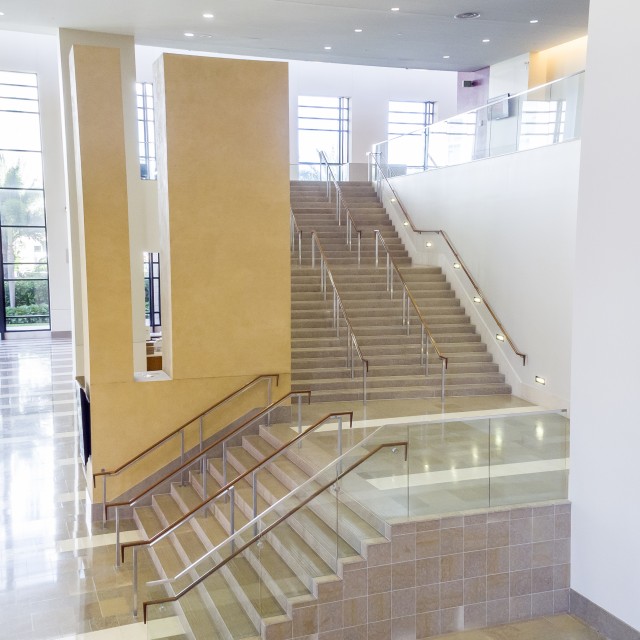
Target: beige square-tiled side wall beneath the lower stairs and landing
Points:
x,y
440,575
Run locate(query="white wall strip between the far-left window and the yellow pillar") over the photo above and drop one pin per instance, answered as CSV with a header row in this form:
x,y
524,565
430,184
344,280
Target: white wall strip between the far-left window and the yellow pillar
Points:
x,y
38,53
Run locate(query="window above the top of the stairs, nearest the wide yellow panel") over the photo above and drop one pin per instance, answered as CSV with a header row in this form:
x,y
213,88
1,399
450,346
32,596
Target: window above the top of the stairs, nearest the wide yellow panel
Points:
x,y
323,125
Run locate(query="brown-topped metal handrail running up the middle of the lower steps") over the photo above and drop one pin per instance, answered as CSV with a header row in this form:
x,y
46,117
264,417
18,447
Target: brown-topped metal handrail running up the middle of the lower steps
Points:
x,y
227,490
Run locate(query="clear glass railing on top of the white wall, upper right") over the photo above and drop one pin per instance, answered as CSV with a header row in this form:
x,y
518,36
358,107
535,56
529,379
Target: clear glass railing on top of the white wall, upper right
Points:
x,y
540,117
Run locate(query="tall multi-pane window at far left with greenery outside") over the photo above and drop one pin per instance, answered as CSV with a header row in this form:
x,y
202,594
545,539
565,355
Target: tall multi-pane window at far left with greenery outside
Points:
x,y
23,253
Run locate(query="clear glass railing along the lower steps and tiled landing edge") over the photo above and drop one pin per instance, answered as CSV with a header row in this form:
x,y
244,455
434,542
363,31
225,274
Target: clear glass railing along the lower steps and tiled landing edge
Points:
x,y
430,466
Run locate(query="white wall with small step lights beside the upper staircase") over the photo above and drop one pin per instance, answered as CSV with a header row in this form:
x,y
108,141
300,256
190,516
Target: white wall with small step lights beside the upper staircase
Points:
x,y
512,219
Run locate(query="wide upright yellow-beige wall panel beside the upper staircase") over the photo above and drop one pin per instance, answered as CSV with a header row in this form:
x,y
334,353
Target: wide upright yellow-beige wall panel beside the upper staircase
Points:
x,y
226,202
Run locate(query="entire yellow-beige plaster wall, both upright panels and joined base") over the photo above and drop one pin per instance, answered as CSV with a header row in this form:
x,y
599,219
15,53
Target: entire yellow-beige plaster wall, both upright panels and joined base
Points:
x,y
226,256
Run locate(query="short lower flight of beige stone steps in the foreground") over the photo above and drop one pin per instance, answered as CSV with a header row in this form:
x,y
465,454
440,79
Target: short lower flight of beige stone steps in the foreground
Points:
x,y
272,589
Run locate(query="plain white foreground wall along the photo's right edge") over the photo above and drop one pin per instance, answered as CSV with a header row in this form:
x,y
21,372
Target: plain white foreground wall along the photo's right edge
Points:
x,y
605,439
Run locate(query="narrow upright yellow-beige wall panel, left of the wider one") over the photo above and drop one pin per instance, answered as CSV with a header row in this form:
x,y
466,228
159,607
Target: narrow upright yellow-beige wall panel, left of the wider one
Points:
x,y
103,205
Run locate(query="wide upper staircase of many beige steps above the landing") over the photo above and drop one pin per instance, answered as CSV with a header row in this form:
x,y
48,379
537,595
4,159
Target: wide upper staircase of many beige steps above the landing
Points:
x,y
396,369
